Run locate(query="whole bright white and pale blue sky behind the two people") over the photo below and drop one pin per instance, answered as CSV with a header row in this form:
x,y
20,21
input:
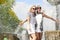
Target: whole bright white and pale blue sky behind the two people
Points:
x,y
21,9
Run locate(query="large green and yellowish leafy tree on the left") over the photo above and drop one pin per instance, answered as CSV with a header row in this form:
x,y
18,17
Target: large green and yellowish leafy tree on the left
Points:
x,y
8,20
